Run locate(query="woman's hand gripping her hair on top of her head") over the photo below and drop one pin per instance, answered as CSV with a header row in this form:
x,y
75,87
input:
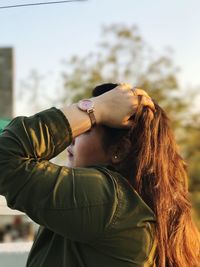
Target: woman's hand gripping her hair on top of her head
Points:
x,y
115,107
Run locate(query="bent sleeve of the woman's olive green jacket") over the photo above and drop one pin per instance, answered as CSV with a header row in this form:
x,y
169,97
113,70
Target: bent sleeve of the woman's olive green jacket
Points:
x,y
77,203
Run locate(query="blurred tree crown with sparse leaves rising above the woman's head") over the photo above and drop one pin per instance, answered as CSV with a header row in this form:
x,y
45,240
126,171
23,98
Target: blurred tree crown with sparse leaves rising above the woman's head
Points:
x,y
123,55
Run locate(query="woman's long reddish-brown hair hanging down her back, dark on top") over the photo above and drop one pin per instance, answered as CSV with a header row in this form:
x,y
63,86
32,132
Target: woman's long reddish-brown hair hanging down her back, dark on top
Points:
x,y
158,173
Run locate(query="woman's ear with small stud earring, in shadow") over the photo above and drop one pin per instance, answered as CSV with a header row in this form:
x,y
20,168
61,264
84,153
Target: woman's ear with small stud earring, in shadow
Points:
x,y
120,151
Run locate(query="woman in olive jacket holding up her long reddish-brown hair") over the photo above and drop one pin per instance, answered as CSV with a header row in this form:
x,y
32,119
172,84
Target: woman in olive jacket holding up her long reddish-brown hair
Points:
x,y
123,198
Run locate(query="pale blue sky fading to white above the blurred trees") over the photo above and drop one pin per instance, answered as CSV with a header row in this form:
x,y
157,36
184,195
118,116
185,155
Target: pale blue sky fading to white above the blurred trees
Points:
x,y
42,36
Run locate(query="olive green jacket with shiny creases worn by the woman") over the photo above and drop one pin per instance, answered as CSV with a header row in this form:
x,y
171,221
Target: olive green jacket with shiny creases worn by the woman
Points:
x,y
89,217
